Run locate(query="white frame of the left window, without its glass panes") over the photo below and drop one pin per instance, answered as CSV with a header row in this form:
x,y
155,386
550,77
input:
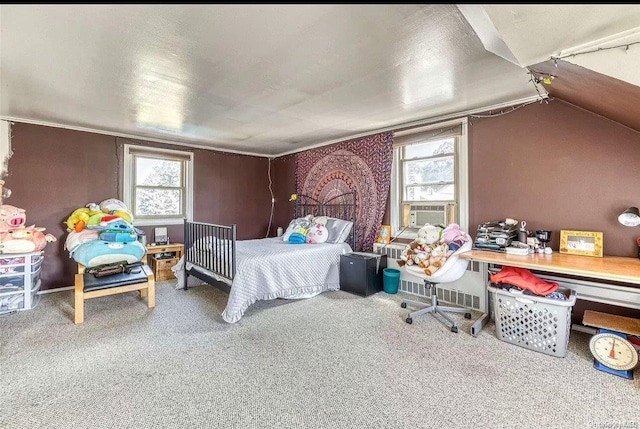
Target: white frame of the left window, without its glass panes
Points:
x,y
128,182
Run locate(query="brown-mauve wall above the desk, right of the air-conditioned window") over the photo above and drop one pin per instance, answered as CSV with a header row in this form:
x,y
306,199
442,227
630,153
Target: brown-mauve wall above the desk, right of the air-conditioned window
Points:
x,y
556,167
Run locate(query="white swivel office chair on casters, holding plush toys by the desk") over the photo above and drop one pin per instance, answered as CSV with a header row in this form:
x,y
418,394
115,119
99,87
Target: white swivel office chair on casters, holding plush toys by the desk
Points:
x,y
453,269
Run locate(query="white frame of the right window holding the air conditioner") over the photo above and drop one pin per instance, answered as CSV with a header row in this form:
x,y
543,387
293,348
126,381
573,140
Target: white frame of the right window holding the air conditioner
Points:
x,y
461,179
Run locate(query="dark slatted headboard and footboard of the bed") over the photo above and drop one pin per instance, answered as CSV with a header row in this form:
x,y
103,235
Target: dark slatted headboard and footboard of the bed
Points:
x,y
221,262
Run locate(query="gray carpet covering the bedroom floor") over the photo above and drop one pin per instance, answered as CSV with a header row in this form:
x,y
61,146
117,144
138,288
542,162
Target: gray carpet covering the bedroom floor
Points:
x,y
333,361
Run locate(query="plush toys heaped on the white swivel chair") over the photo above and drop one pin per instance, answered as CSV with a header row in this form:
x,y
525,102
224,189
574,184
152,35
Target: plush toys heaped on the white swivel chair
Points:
x,y
432,247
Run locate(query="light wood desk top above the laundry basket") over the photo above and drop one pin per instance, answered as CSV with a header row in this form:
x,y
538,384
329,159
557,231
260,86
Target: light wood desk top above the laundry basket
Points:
x,y
614,268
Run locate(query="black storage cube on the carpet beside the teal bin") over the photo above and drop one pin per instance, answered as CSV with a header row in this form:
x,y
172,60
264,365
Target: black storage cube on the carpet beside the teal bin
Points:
x,y
361,274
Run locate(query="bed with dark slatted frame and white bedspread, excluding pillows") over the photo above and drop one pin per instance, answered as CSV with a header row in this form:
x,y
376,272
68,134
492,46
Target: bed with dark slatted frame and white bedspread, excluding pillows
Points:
x,y
268,268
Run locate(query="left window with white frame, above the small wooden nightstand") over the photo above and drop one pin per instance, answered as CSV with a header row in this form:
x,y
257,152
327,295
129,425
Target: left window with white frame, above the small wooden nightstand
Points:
x,y
158,185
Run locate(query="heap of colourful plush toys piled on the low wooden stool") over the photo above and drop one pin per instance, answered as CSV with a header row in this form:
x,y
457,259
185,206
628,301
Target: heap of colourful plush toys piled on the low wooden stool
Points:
x,y
103,234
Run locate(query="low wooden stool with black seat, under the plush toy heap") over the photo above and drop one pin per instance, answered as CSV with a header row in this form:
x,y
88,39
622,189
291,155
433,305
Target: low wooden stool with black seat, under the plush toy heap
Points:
x,y
88,286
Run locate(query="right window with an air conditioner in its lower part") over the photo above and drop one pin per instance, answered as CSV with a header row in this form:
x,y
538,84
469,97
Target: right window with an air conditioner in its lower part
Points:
x,y
429,177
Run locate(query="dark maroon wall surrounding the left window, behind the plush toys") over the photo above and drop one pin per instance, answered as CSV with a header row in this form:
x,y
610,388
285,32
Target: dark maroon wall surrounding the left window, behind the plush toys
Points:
x,y
53,171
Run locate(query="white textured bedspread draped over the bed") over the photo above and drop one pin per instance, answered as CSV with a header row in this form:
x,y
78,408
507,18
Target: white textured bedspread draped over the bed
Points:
x,y
271,268
